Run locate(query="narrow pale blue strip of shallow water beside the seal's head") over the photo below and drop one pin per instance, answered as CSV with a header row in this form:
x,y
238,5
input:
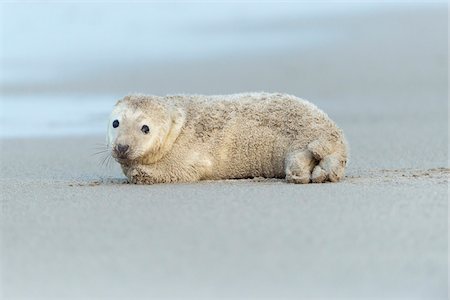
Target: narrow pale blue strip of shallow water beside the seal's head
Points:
x,y
39,116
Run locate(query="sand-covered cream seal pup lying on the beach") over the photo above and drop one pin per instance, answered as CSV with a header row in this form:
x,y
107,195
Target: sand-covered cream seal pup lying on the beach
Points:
x,y
186,138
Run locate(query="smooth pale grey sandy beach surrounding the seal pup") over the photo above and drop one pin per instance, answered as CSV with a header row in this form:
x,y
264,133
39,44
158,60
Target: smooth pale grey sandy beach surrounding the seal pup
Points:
x,y
73,229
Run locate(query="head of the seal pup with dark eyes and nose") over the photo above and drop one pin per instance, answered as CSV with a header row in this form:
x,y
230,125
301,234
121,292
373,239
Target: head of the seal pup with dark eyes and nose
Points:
x,y
143,128
